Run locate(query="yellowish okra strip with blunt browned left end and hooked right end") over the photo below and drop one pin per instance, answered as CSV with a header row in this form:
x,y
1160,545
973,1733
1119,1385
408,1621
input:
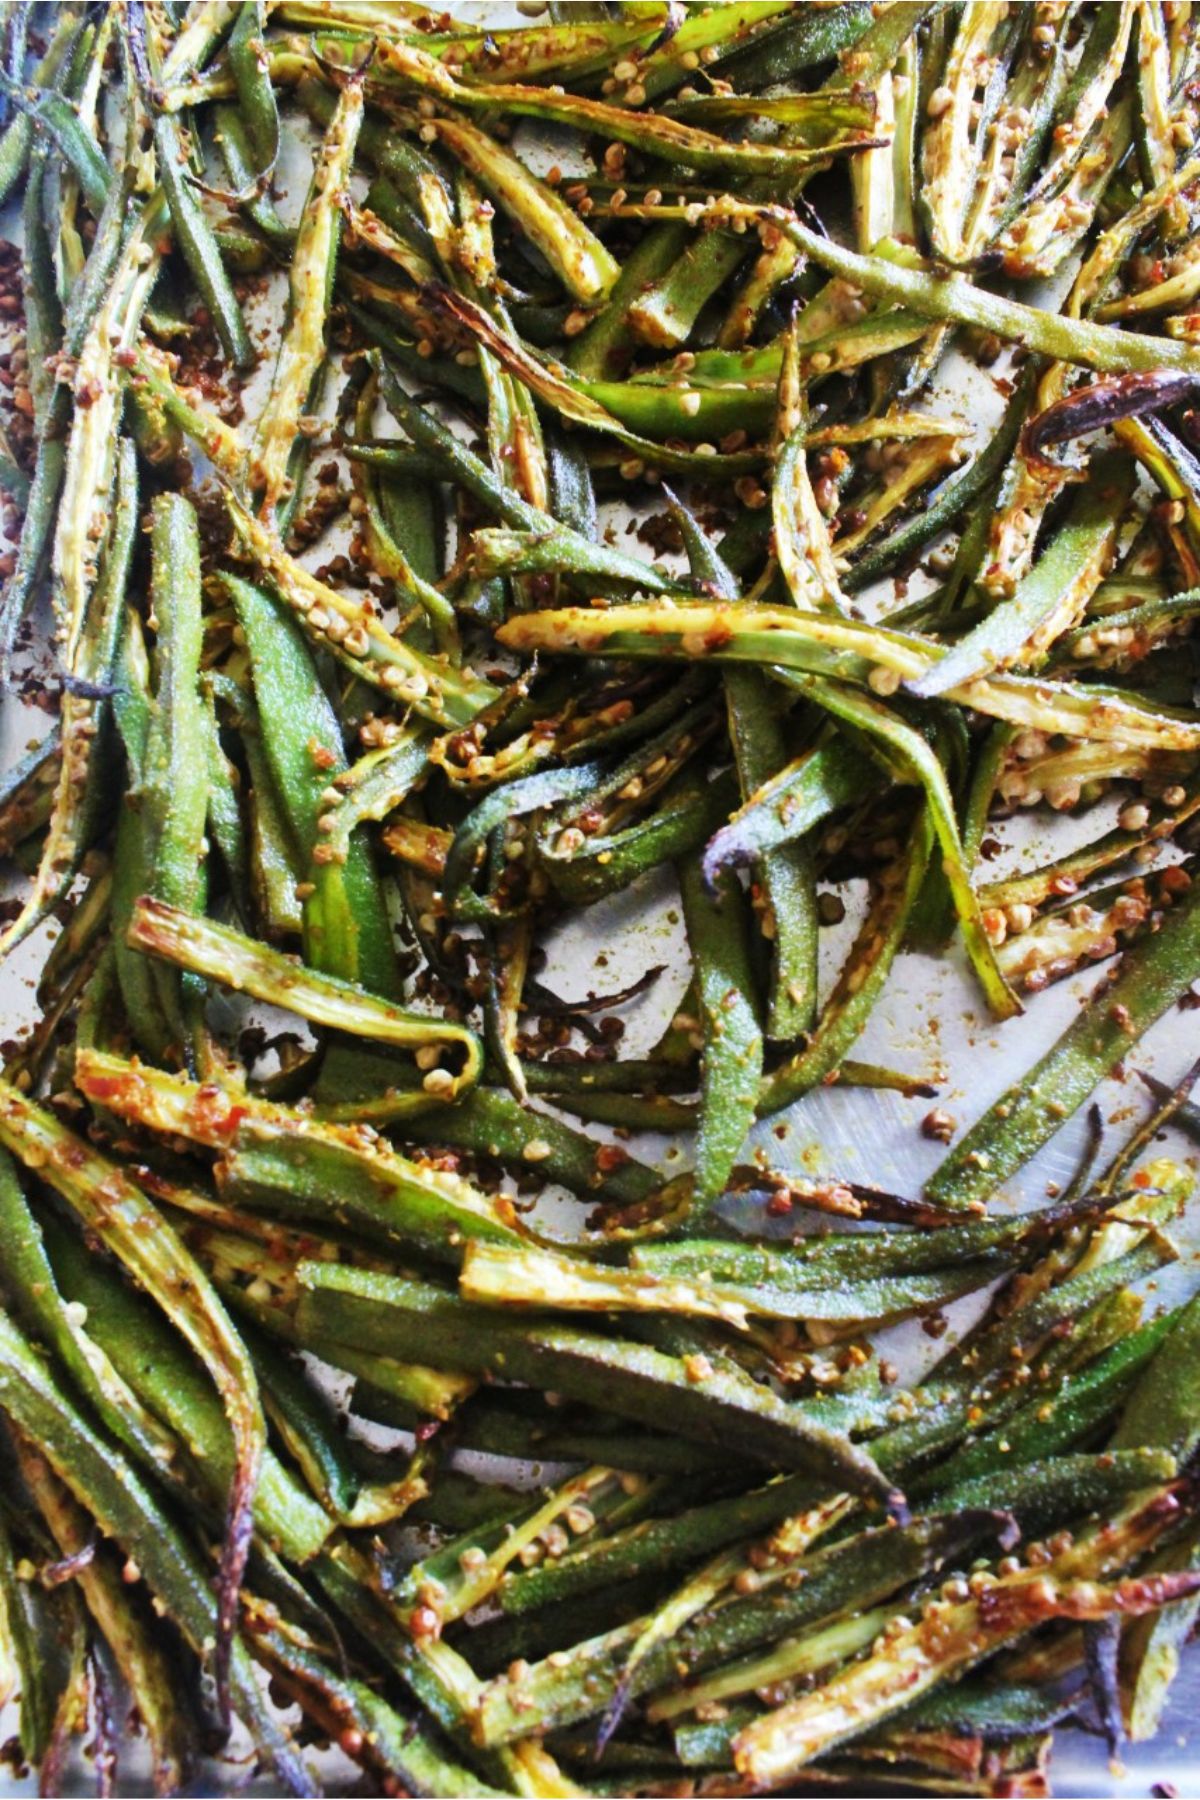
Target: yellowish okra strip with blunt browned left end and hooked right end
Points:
x,y
251,967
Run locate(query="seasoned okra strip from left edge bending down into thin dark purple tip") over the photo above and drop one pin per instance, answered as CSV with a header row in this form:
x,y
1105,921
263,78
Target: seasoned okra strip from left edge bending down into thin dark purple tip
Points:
x,y
123,1218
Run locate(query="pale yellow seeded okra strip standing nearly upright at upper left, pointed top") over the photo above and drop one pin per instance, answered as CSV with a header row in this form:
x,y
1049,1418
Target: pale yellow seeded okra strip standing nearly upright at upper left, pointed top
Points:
x,y
312,276
